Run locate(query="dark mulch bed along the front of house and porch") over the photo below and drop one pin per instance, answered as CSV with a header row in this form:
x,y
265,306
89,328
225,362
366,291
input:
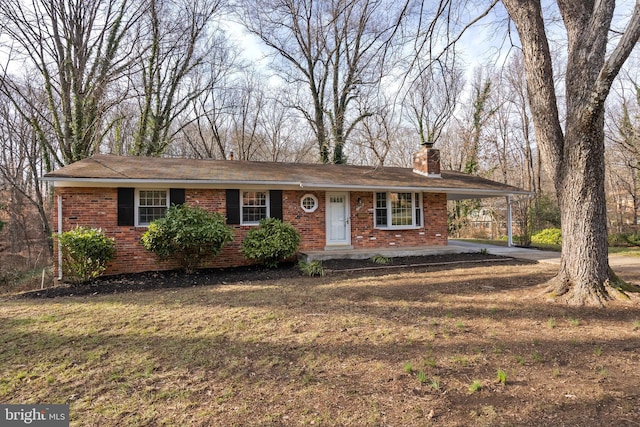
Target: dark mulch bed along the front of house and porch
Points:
x,y
208,277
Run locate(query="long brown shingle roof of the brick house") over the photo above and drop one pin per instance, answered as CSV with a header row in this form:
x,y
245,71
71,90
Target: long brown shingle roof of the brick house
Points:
x,y
102,169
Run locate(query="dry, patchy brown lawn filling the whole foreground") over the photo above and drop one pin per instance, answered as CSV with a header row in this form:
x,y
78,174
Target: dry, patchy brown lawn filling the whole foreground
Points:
x,y
398,349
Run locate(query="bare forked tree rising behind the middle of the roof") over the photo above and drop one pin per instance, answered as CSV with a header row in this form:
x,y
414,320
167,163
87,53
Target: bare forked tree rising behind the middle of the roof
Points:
x,y
334,48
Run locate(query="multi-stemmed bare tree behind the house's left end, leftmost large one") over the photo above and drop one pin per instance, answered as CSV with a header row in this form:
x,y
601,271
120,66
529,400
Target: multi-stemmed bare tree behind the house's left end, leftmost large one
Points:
x,y
78,49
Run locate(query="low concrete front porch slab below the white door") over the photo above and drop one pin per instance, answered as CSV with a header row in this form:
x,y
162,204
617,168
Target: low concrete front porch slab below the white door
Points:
x,y
347,252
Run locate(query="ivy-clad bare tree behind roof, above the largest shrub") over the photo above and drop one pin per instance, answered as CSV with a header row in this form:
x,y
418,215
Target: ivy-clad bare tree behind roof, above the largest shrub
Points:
x,y
179,36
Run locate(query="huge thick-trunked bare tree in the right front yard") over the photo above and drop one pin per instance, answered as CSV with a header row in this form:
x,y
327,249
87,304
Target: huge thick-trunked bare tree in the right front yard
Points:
x,y
573,151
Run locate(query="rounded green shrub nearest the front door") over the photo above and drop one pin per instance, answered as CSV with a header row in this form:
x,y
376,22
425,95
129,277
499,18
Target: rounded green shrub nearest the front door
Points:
x,y
270,242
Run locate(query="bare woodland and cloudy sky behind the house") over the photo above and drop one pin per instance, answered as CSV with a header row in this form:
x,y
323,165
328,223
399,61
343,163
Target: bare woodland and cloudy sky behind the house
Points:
x,y
358,81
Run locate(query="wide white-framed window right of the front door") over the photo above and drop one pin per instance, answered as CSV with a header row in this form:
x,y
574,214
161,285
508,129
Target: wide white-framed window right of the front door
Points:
x,y
397,210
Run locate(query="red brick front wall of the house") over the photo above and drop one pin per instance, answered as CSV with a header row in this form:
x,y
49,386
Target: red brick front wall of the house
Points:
x,y
97,207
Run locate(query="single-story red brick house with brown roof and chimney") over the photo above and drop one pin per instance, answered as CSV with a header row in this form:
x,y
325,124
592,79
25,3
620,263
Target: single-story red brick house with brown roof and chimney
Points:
x,y
332,206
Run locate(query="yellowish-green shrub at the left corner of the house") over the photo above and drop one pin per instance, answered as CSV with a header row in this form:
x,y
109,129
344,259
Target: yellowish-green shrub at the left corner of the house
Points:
x,y
85,253
